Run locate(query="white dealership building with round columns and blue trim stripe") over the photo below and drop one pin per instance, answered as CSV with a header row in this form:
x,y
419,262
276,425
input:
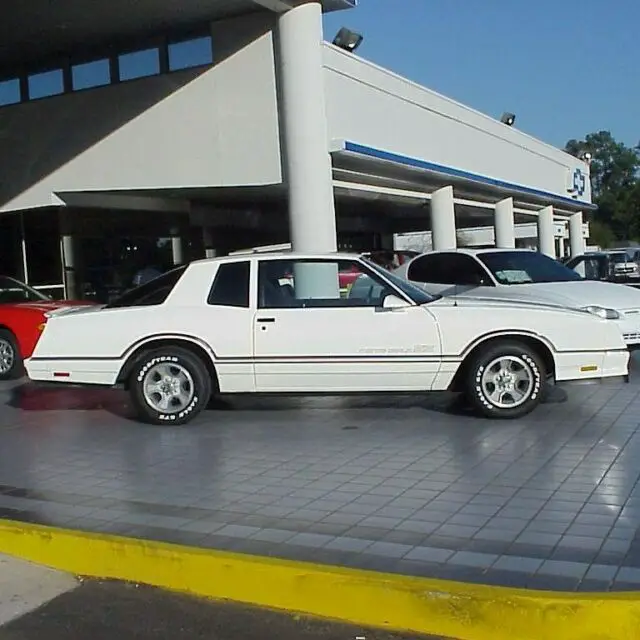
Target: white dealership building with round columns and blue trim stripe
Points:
x,y
166,131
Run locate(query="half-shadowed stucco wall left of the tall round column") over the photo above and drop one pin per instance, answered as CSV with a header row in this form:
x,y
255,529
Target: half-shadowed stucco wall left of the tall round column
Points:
x,y
186,129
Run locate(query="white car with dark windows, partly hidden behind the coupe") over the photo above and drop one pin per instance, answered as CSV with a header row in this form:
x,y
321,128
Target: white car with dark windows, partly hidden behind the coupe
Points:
x,y
522,275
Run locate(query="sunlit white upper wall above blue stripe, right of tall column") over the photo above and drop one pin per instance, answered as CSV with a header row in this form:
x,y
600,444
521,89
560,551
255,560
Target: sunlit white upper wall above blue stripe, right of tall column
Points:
x,y
372,106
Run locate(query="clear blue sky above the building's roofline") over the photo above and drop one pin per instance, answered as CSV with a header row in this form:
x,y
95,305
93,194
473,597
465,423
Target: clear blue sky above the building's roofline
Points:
x,y
566,68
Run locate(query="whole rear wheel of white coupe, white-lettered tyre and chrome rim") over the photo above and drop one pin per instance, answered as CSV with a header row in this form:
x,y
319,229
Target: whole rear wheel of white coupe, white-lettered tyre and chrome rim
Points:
x,y
170,385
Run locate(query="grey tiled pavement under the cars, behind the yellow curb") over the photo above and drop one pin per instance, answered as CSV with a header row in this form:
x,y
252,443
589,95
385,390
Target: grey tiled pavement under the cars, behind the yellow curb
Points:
x,y
389,483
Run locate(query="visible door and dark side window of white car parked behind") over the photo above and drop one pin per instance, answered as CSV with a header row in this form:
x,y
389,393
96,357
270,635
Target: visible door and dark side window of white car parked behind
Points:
x,y
448,273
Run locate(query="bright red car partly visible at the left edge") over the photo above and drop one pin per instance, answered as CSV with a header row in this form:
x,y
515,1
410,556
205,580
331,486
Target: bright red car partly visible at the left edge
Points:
x,y
22,318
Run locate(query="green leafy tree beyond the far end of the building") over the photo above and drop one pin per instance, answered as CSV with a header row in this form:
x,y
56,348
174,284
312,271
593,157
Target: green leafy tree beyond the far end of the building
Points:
x,y
614,183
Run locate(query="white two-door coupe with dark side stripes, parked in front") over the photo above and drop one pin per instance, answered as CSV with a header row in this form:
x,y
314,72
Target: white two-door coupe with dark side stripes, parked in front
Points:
x,y
277,324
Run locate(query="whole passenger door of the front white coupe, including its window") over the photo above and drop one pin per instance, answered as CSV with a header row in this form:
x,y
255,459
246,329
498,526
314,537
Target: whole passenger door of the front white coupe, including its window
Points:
x,y
308,337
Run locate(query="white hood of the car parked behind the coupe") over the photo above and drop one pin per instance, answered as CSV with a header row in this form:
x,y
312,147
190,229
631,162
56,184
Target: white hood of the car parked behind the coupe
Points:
x,y
575,294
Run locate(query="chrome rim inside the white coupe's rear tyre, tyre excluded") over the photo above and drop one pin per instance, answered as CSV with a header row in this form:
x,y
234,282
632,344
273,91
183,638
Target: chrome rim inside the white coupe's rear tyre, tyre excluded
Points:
x,y
168,387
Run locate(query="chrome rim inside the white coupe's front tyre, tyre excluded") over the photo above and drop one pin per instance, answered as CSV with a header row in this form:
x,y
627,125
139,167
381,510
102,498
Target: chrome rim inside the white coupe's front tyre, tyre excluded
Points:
x,y
507,382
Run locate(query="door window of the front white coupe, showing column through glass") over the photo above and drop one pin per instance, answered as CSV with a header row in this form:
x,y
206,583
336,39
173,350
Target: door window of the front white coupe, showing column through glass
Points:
x,y
318,284
